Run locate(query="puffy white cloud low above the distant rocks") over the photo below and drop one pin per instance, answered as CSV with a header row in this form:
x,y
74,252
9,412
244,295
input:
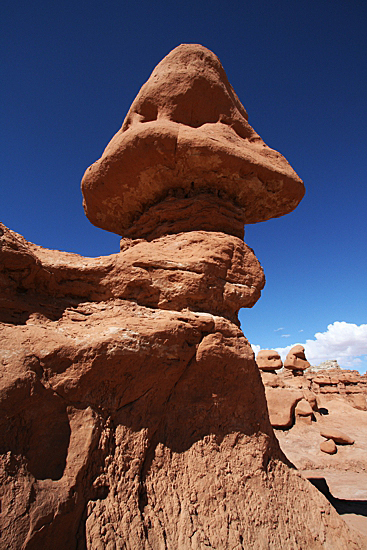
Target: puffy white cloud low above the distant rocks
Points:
x,y
345,342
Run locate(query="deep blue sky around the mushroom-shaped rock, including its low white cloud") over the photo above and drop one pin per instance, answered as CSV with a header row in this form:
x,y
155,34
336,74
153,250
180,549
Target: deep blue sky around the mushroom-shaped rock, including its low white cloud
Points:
x,y
71,70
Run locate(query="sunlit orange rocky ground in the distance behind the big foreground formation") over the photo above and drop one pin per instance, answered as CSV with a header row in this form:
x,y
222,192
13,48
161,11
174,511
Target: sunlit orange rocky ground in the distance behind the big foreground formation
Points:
x,y
340,405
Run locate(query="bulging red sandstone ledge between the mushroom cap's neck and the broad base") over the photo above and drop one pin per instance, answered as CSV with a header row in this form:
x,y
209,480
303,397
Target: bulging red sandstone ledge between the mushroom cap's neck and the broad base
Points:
x,y
214,272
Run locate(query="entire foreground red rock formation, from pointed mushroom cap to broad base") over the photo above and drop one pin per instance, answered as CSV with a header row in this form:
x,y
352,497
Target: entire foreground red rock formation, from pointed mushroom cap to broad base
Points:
x,y
133,413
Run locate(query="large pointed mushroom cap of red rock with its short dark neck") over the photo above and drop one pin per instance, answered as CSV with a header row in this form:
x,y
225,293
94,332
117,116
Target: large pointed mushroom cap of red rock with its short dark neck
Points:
x,y
186,158
